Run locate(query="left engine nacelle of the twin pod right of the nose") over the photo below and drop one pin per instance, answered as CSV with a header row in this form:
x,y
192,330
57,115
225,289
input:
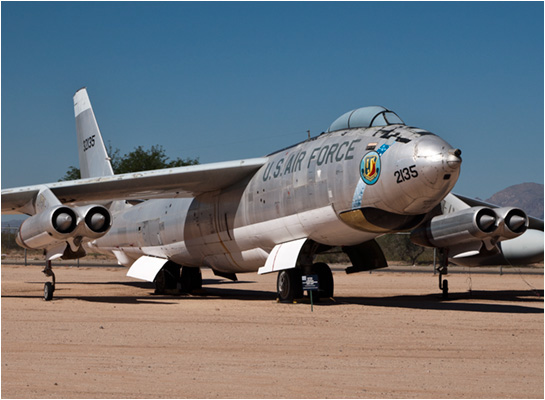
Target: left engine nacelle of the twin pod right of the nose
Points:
x,y
469,225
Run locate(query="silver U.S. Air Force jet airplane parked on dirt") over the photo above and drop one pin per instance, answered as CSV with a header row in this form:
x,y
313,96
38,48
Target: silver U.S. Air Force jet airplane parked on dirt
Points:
x,y
368,175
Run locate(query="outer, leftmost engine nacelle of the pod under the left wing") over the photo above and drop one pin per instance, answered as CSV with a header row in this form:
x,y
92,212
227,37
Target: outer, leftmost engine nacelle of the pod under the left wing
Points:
x,y
52,225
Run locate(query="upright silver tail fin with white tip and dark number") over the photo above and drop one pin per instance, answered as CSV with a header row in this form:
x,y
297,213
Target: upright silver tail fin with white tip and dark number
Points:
x,y
93,158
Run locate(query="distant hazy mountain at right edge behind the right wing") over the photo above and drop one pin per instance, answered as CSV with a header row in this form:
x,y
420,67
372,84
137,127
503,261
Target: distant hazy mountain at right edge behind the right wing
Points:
x,y
528,196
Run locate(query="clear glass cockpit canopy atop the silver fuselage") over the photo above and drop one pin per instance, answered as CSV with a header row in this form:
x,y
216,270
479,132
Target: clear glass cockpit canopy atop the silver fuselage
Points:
x,y
366,117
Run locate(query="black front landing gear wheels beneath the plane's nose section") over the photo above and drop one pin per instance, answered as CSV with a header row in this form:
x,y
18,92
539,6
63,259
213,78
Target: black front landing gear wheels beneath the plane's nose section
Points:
x,y
289,283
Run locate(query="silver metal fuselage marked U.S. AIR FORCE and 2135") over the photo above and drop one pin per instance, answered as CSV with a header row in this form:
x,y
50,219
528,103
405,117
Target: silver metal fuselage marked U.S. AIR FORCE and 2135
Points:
x,y
299,193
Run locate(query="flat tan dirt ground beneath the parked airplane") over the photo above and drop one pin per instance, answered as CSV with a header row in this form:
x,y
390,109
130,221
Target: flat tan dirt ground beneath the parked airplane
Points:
x,y
386,335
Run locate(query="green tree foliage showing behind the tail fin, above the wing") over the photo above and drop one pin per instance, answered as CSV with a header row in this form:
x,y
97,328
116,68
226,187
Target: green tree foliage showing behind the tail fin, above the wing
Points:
x,y
137,160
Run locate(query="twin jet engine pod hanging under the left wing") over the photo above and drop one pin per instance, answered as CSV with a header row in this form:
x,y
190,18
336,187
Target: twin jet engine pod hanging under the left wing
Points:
x,y
60,223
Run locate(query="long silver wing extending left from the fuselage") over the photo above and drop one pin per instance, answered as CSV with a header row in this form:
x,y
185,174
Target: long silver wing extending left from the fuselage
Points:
x,y
166,183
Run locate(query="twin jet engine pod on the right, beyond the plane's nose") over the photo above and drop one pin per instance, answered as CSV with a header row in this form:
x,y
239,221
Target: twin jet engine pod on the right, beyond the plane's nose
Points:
x,y
475,224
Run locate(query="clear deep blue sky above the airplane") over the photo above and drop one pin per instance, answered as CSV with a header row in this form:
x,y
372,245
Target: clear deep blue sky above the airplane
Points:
x,y
224,81
